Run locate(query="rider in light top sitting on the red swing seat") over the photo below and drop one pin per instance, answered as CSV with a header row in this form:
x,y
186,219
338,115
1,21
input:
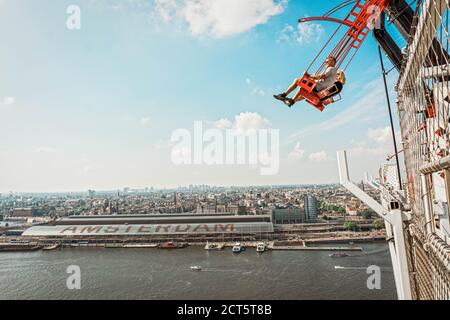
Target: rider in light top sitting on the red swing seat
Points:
x,y
328,78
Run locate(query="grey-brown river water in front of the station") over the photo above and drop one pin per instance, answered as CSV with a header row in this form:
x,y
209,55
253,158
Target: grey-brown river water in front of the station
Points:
x,y
165,274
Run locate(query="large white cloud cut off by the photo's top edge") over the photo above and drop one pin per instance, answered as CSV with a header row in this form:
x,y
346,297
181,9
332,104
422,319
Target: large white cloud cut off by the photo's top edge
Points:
x,y
218,18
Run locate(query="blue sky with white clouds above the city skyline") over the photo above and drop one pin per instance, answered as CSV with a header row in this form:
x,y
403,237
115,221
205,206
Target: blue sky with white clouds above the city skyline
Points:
x,y
95,107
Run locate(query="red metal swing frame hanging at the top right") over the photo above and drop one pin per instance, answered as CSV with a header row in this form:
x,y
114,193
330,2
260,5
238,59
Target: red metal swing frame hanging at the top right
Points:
x,y
357,21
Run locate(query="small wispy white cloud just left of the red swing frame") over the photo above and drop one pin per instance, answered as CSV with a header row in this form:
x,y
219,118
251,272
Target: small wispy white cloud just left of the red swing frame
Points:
x,y
305,33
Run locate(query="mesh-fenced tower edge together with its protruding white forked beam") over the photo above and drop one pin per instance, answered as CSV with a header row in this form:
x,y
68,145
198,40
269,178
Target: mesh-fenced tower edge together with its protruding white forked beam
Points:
x,y
417,219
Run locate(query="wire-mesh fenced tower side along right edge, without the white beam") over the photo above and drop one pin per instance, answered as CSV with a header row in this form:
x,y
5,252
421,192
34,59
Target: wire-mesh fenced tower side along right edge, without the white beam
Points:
x,y
424,112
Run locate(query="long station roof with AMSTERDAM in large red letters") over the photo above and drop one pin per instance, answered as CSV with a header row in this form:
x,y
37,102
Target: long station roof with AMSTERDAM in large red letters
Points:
x,y
157,224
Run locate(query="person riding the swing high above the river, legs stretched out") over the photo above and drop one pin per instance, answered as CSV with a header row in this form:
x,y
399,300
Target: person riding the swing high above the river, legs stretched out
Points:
x,y
324,81
